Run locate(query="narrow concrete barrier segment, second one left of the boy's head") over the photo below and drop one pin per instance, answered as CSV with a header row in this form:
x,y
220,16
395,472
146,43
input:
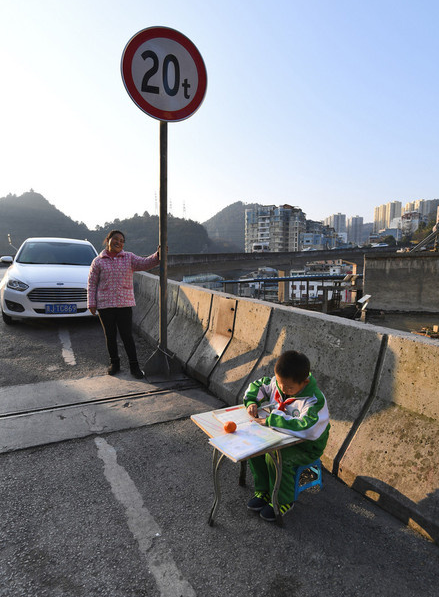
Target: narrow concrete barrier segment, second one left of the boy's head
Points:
x,y
215,341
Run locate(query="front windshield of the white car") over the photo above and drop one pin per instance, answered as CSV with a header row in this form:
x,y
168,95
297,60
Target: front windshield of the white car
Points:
x,y
56,253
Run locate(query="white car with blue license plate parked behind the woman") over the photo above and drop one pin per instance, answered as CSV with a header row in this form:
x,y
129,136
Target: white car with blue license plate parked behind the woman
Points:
x,y
47,278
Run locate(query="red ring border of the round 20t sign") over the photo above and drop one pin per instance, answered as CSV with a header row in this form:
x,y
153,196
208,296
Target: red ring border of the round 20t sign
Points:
x,y
127,58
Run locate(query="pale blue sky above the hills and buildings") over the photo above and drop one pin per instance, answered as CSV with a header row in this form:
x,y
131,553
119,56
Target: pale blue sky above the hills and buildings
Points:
x,y
330,105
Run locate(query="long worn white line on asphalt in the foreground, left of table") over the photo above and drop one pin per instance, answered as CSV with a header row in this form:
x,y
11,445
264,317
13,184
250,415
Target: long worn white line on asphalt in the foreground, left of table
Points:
x,y
143,526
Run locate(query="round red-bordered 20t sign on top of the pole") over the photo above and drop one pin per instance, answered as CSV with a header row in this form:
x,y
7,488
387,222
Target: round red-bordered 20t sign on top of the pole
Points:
x,y
164,73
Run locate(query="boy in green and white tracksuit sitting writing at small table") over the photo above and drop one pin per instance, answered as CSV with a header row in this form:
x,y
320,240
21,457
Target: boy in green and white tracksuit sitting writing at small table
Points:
x,y
297,407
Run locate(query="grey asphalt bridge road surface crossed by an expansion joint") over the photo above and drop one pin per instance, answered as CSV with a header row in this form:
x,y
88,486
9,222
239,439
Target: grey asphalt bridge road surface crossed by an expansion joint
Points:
x,y
124,513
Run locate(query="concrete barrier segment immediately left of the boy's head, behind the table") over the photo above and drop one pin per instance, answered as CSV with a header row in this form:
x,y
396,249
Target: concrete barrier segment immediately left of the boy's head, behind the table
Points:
x,y
243,352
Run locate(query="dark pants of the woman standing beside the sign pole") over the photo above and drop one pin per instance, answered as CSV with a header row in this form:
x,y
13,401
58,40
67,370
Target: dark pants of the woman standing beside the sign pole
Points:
x,y
121,319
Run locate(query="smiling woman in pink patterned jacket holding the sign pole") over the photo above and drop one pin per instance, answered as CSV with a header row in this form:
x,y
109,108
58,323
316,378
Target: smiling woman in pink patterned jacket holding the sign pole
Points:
x,y
110,292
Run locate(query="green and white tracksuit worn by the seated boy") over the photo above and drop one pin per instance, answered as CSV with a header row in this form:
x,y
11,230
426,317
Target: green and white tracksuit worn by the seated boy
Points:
x,y
305,416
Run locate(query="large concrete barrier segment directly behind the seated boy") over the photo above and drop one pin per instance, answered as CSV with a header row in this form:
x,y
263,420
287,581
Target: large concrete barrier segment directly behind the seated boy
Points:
x,y
343,356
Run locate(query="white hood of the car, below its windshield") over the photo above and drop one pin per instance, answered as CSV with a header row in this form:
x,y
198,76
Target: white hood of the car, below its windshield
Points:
x,y
49,274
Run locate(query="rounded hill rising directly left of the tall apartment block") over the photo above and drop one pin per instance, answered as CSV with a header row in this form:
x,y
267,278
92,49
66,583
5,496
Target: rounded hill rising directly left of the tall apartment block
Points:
x,y
228,225
